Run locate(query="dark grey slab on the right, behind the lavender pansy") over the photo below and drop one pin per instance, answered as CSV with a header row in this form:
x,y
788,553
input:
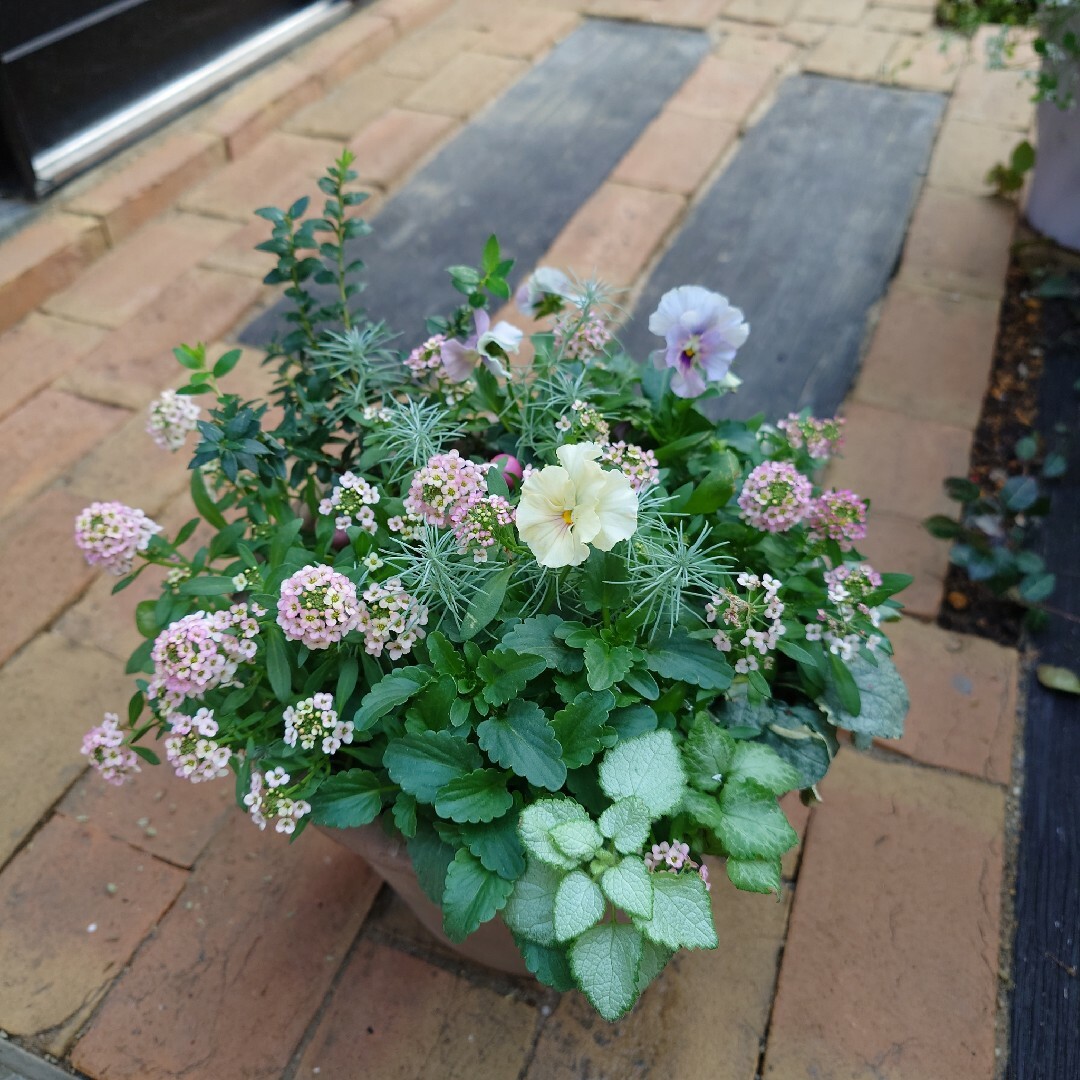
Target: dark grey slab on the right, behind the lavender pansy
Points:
x,y
803,232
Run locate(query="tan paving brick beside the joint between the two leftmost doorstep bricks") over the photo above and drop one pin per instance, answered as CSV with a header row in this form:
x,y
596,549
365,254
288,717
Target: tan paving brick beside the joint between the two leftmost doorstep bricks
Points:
x,y
136,274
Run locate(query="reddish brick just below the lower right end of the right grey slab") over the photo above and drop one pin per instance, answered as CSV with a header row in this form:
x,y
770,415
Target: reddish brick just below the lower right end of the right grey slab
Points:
x,y
899,463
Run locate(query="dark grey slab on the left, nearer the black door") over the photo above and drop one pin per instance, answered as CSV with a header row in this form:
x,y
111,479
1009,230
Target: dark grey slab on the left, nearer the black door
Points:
x,y
519,170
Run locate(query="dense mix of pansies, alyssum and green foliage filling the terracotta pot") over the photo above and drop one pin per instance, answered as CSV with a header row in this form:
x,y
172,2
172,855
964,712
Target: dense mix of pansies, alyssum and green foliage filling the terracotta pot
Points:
x,y
542,617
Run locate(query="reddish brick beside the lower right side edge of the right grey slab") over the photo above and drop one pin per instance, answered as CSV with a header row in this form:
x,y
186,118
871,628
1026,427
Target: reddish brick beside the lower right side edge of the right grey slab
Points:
x,y
930,340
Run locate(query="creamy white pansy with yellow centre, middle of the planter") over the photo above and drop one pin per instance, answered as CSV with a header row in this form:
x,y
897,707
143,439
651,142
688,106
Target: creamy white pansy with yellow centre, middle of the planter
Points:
x,y
569,507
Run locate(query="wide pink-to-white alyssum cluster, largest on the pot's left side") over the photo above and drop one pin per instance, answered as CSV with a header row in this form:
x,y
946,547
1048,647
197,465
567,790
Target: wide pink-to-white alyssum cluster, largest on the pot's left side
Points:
x,y
201,652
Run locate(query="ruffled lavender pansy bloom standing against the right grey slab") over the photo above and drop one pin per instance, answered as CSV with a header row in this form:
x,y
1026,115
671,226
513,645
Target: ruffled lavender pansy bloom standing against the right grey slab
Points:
x,y
704,332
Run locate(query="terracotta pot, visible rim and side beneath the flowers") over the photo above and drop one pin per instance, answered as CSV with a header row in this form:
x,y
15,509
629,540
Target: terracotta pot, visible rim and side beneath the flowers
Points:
x,y
492,944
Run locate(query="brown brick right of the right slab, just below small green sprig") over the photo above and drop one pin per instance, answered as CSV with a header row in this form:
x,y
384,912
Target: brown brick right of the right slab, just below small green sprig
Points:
x,y
960,244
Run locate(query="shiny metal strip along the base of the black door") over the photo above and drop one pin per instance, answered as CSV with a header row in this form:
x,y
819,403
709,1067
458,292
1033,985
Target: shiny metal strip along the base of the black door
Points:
x,y
62,161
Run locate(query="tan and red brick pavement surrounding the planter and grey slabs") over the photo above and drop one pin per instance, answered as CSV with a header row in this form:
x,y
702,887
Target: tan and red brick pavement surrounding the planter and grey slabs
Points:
x,y
151,934
